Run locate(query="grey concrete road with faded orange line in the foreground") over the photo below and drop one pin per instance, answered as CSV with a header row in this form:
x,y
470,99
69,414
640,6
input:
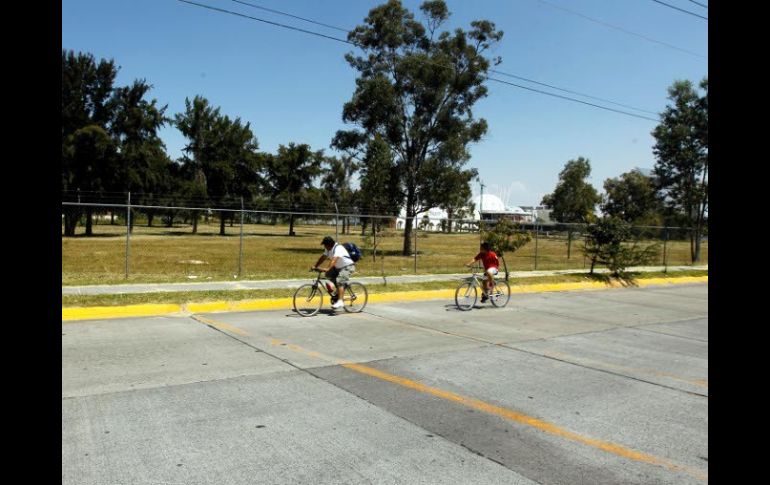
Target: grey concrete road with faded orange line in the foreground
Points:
x,y
590,387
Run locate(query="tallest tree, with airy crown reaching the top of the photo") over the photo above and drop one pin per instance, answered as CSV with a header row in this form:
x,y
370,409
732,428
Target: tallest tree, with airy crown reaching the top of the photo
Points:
x,y
416,88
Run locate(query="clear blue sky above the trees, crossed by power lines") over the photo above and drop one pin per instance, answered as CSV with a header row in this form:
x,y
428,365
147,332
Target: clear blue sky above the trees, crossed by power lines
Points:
x,y
291,86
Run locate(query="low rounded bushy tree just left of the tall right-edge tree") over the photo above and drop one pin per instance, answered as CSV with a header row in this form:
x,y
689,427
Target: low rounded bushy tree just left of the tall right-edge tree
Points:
x,y
633,197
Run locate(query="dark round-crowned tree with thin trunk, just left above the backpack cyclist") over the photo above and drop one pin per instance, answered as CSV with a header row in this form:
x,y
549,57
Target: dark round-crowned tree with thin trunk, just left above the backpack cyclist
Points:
x,y
290,174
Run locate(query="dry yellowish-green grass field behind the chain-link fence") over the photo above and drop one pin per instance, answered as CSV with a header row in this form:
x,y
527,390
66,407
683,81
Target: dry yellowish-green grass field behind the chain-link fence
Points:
x,y
160,254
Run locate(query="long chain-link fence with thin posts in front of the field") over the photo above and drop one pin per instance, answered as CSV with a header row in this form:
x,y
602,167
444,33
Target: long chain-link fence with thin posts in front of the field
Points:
x,y
168,243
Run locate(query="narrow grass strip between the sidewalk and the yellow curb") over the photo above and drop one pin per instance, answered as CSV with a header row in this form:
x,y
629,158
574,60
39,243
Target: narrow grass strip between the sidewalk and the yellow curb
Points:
x,y
236,295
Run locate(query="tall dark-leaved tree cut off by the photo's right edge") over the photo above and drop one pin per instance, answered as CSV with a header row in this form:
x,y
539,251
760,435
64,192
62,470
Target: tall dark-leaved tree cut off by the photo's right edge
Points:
x,y
681,150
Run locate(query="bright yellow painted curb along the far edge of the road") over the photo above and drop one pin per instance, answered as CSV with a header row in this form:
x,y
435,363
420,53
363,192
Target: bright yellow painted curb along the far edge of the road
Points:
x,y
109,312
